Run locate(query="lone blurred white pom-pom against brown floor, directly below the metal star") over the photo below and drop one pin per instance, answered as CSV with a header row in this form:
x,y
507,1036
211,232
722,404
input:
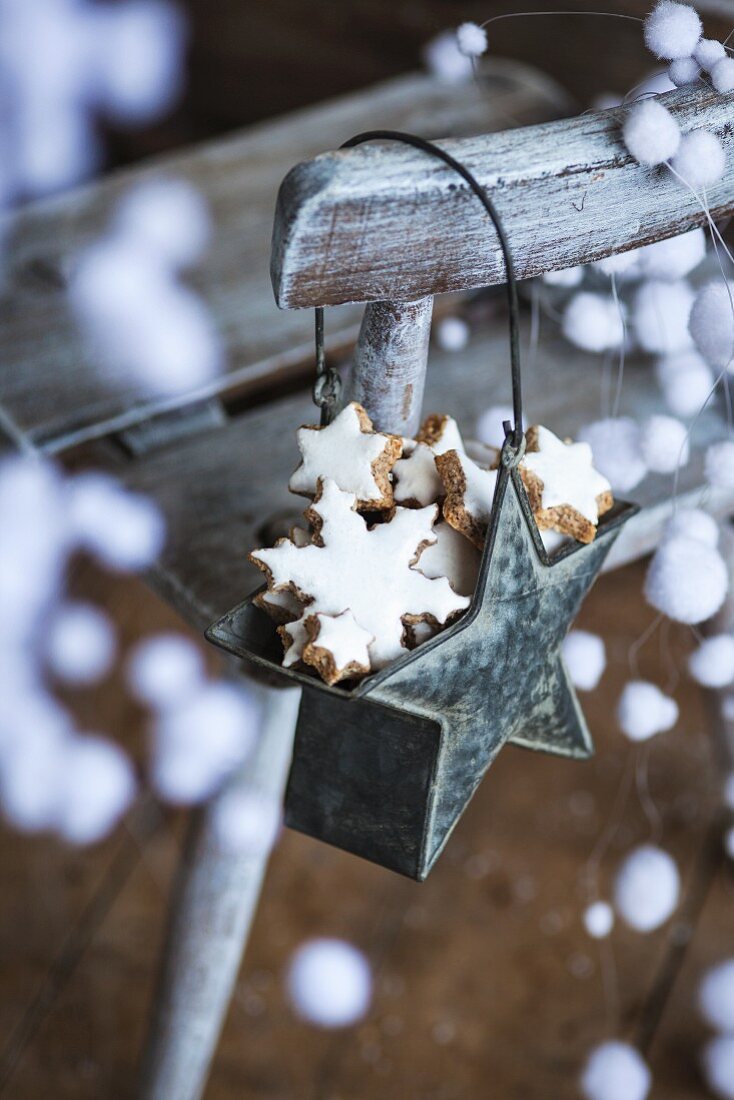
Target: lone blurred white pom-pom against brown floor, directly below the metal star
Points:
x,y
330,983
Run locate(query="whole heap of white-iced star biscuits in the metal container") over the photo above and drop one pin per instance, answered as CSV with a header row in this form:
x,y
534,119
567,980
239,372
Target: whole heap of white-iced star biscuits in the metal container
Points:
x,y
391,547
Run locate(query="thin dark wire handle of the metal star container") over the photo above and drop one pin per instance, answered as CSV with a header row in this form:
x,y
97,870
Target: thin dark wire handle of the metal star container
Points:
x,y
327,388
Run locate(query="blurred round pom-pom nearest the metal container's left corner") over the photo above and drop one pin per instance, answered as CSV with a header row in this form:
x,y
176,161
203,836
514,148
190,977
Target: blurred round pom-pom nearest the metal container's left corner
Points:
x,y
165,669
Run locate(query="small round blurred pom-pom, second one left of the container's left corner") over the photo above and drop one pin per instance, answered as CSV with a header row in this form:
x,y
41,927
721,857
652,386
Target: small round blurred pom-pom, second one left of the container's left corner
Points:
x,y
81,644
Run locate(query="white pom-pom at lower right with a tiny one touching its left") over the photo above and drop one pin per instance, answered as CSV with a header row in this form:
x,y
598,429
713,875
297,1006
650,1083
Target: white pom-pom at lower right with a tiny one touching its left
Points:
x,y
647,888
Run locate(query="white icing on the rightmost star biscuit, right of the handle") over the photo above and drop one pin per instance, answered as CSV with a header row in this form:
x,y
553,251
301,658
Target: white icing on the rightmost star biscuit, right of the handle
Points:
x,y
567,474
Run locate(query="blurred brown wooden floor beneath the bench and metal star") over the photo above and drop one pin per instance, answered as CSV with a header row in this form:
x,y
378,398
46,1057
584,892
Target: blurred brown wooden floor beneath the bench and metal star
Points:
x,y
486,983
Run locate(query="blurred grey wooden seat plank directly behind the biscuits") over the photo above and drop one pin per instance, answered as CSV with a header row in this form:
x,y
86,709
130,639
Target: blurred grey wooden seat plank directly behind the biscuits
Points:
x,y
222,490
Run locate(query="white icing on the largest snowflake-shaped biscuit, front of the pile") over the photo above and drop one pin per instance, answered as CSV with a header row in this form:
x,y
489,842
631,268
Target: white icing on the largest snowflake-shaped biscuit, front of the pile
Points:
x,y
368,570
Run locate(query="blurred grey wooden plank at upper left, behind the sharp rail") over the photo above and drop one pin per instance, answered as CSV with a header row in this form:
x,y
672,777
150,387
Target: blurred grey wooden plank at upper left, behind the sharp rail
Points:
x,y
51,387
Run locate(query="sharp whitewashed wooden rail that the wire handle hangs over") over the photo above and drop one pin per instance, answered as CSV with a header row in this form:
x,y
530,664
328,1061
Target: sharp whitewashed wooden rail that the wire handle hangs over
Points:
x,y
387,222
